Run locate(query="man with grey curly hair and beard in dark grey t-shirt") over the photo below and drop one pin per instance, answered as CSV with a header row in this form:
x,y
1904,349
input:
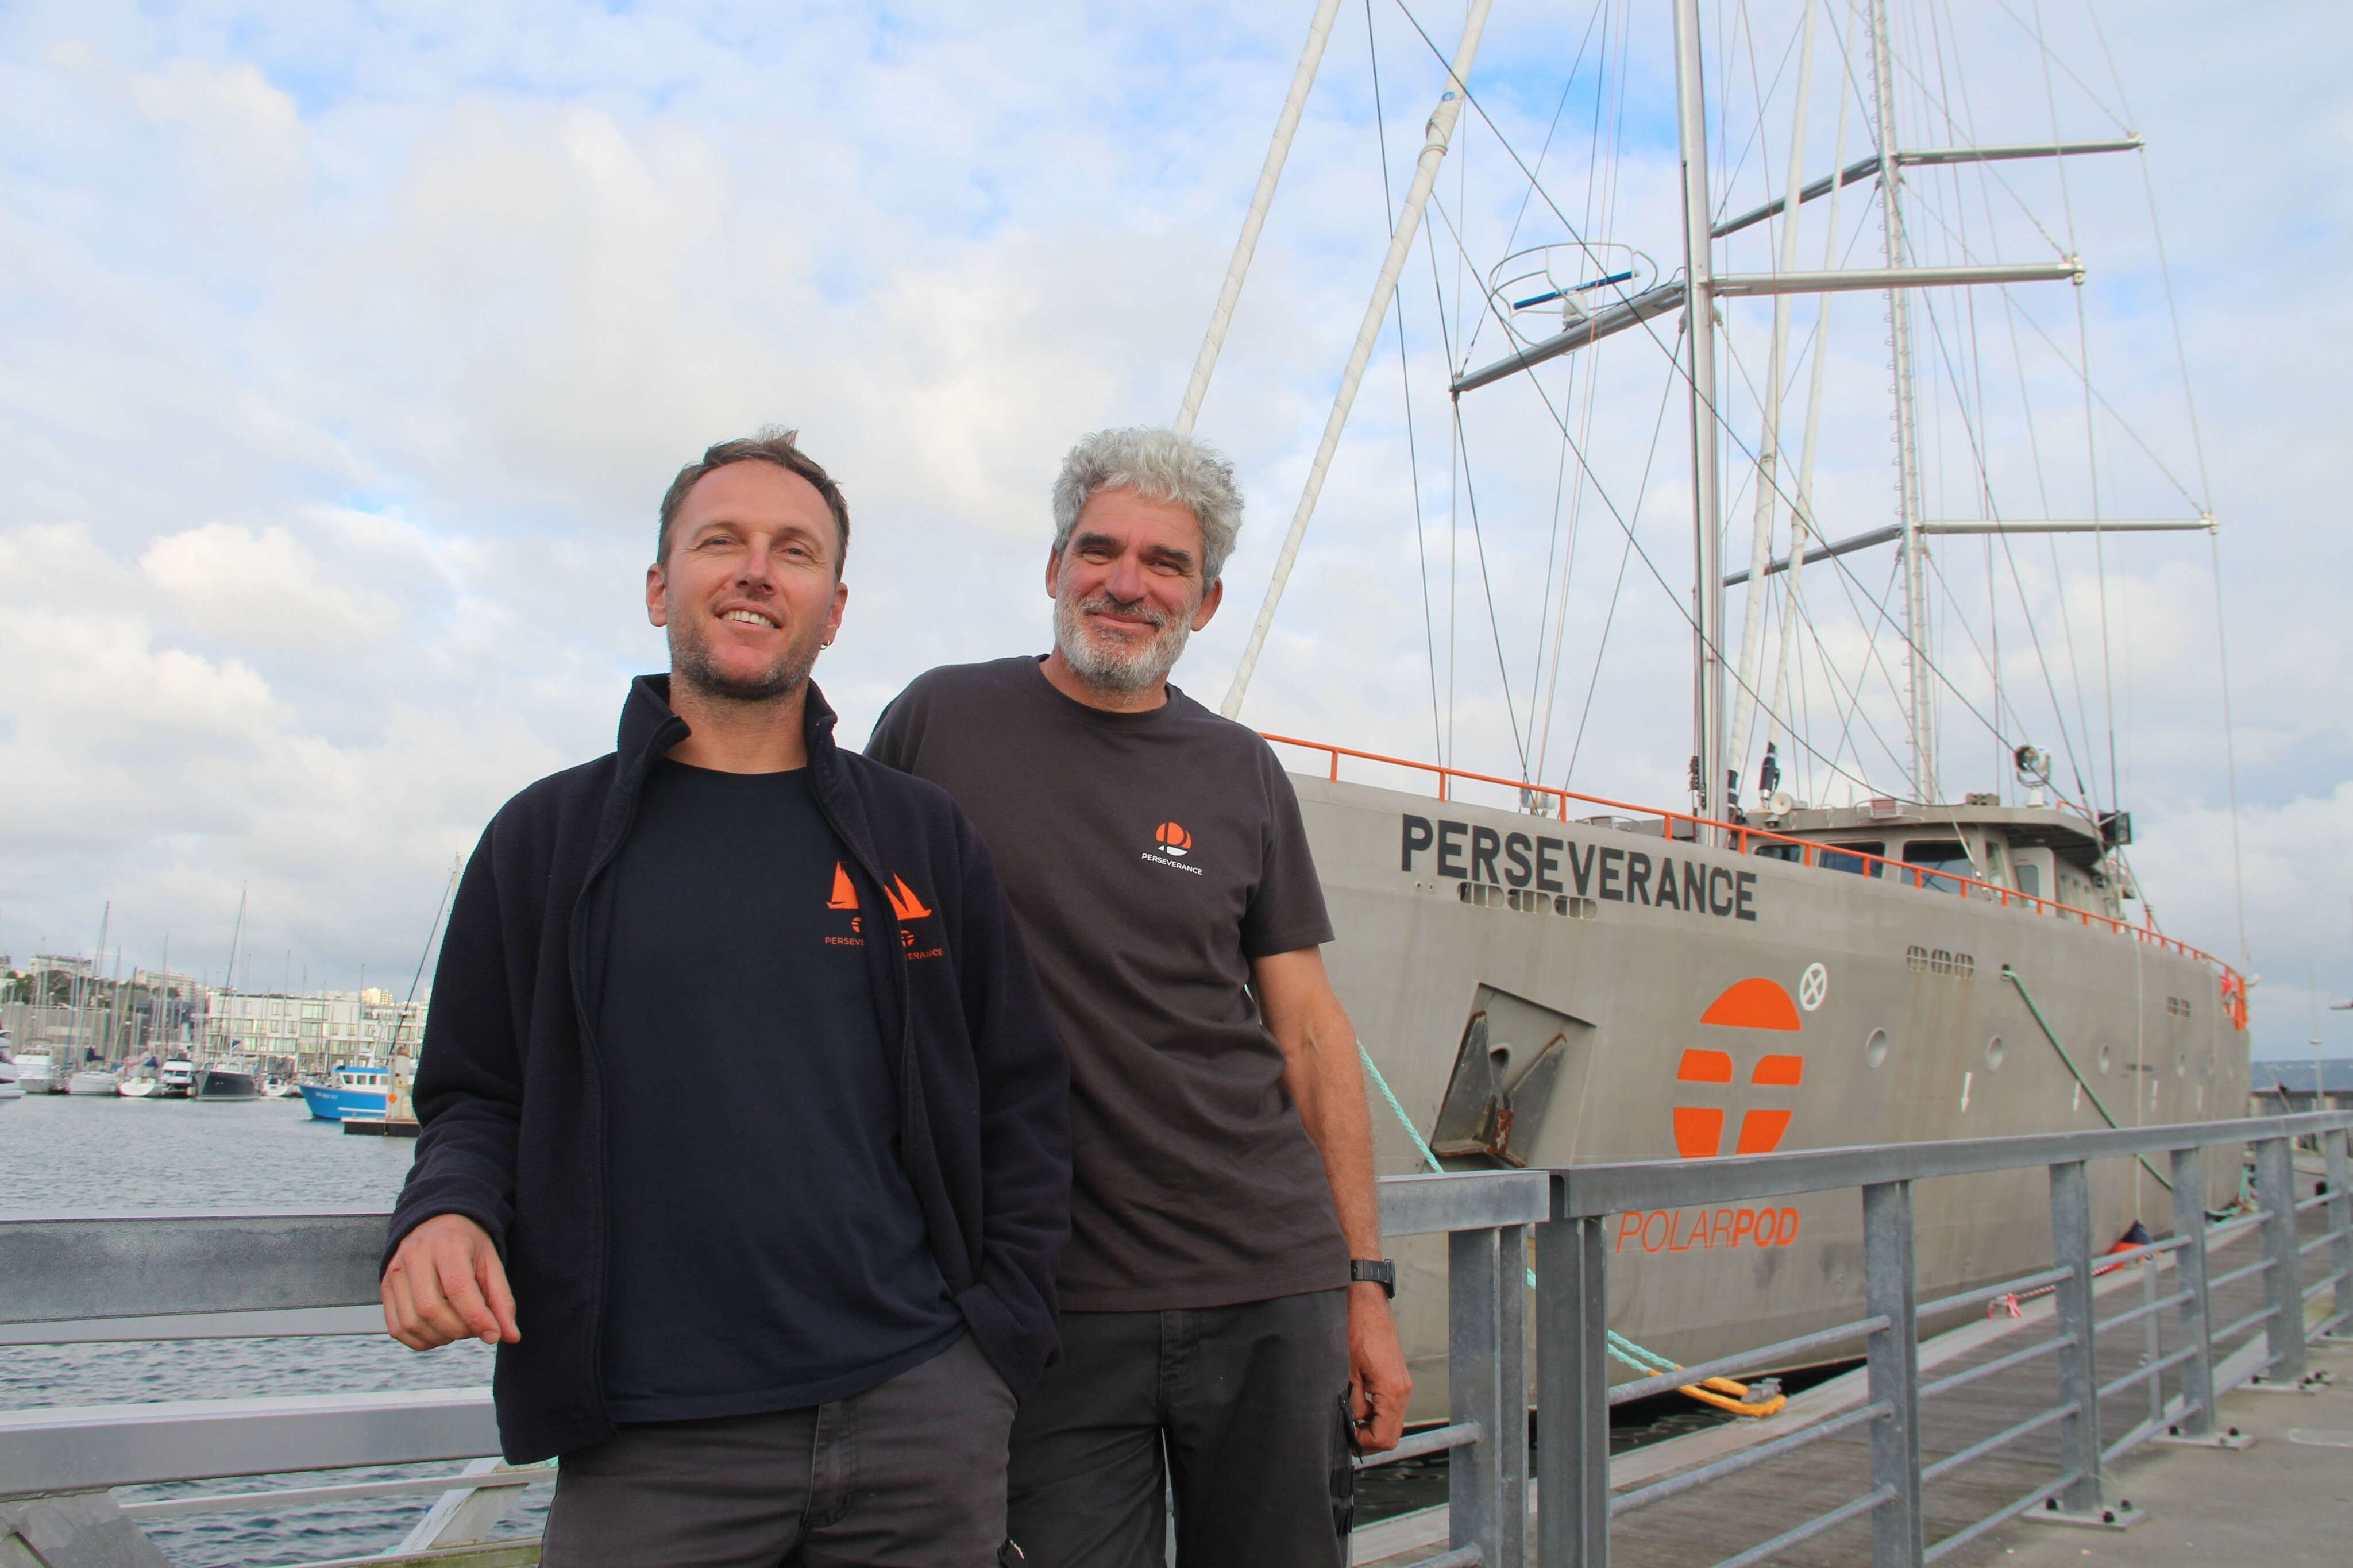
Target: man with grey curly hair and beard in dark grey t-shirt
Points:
x,y
1227,1327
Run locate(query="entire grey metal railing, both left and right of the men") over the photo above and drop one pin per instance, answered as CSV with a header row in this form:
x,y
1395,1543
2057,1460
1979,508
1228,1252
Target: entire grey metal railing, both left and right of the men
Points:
x,y
154,1278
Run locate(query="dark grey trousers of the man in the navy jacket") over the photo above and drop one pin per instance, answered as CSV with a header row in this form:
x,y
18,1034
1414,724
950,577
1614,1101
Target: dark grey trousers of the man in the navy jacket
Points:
x,y
907,1475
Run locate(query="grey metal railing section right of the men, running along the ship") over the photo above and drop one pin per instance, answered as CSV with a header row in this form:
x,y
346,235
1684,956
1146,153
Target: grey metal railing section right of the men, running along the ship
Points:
x,y
1573,1268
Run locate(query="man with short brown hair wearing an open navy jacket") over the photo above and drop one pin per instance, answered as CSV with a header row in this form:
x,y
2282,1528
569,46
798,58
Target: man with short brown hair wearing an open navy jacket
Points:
x,y
742,1099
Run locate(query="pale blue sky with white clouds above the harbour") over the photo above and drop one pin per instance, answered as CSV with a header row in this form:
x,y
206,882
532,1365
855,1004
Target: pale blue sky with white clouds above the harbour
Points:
x,y
345,354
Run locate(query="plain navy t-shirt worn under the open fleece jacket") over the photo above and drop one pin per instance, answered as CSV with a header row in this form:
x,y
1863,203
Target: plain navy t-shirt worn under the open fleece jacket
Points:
x,y
766,1247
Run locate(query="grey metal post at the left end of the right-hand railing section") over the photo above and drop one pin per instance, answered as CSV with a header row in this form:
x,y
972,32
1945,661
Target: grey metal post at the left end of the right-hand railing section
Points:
x,y
1573,1393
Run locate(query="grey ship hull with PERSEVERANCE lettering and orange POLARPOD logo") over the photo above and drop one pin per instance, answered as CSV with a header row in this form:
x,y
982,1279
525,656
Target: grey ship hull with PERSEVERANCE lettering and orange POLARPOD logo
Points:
x,y
1888,1019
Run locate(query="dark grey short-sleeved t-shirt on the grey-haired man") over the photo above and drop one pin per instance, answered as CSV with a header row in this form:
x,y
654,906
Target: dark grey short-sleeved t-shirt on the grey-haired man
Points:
x,y
1149,859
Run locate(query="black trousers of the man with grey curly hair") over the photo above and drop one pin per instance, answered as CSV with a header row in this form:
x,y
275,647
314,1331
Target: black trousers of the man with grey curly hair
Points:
x,y
1246,1407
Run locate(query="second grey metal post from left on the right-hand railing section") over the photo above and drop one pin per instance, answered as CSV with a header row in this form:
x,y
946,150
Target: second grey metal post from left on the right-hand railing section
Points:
x,y
1895,1376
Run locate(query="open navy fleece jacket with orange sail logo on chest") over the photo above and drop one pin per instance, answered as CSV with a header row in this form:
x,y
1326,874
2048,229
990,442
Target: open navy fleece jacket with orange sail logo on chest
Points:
x,y
509,1087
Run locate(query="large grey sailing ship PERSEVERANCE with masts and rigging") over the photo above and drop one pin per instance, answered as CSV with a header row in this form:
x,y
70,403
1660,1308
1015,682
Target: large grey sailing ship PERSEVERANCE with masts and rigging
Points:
x,y
1547,979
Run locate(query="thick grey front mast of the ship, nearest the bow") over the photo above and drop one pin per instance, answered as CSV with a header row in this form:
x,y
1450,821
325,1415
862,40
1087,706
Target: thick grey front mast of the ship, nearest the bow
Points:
x,y
1700,319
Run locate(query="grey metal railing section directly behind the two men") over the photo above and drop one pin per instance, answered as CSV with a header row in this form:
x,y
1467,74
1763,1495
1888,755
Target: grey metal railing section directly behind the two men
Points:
x,y
215,1278
